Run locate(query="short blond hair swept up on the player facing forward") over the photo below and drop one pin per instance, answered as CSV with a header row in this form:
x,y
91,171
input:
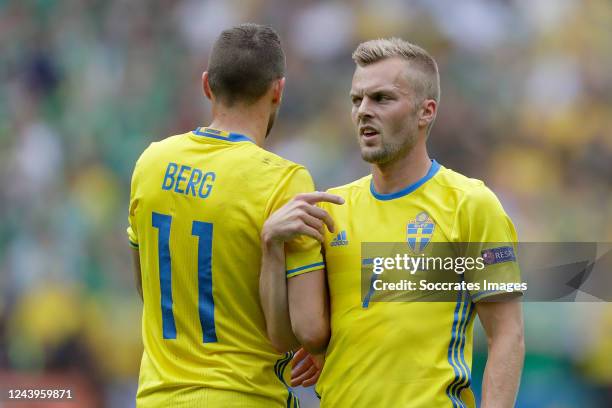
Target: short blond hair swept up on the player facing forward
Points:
x,y
427,85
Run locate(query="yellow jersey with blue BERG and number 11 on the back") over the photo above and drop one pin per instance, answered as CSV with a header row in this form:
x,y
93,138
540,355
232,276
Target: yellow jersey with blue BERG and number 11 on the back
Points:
x,y
198,202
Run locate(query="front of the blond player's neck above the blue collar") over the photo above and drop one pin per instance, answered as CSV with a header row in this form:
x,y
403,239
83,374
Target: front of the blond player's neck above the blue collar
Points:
x,y
406,170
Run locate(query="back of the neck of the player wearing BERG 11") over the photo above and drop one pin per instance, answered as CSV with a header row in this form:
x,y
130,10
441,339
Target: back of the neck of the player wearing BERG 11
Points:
x,y
250,121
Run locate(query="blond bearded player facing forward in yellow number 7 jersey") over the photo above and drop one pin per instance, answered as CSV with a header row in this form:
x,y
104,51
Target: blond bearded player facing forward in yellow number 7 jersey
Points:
x,y
407,354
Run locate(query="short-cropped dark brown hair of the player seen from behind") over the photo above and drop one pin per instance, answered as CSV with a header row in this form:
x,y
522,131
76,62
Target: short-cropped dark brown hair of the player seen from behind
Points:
x,y
243,62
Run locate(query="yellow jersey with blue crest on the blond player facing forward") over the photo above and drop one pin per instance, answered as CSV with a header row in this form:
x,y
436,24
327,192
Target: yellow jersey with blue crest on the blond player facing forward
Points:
x,y
407,354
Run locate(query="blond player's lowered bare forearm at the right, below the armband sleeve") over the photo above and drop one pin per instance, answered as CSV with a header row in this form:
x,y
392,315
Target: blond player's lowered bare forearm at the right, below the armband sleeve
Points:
x,y
503,370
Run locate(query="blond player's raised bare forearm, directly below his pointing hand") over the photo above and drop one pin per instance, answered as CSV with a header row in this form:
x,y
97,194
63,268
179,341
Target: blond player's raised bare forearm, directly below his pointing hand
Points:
x,y
273,293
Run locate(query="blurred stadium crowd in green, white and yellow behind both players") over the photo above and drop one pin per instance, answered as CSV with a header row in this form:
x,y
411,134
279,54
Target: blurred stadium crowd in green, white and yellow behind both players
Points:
x,y
86,85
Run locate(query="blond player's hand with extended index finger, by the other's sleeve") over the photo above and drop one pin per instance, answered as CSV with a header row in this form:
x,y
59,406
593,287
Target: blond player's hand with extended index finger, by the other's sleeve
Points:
x,y
300,216
